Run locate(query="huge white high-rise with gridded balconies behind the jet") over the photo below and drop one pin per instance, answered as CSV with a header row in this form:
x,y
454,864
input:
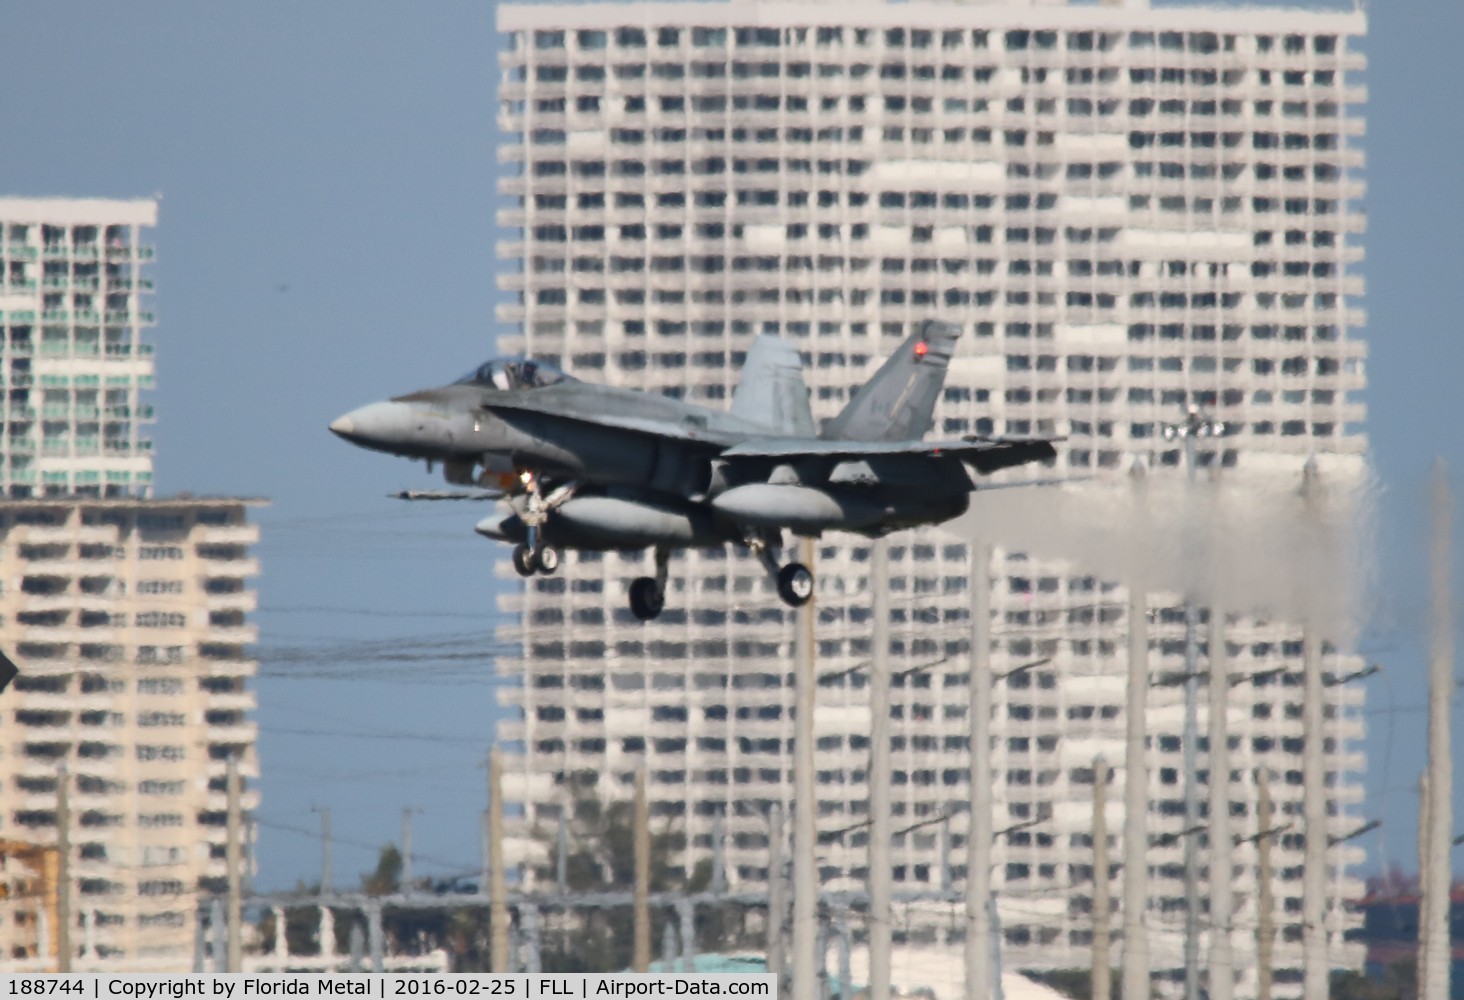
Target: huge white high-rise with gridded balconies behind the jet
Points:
x,y
1128,210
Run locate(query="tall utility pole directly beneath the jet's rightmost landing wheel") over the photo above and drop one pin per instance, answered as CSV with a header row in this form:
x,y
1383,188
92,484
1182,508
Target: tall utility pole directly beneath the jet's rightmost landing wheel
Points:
x,y
806,797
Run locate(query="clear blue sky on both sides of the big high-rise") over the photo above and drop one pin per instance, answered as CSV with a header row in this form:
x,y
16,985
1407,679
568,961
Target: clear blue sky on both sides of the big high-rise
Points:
x,y
326,238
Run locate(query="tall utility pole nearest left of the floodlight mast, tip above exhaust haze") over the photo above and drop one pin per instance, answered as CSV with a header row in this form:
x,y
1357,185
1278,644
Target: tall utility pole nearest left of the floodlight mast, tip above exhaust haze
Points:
x,y
1135,982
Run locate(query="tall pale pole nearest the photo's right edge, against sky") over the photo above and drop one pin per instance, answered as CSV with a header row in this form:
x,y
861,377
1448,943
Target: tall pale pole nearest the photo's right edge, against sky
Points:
x,y
1434,985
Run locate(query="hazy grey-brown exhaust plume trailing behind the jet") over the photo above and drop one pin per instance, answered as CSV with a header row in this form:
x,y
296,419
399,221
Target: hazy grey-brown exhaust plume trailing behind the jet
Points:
x,y
1263,544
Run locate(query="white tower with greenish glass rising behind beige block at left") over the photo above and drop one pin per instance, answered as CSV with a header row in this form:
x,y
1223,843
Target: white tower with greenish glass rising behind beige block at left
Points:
x,y
72,311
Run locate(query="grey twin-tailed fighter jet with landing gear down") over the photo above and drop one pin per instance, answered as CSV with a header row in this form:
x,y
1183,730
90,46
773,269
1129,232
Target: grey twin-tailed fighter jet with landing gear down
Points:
x,y
585,466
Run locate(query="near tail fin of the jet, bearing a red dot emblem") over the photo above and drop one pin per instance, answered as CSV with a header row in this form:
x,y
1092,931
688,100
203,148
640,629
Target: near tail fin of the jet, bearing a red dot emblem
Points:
x,y
900,402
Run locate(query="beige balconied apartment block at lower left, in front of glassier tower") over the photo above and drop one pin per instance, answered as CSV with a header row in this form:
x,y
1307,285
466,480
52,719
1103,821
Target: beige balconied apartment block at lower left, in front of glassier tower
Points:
x,y
128,622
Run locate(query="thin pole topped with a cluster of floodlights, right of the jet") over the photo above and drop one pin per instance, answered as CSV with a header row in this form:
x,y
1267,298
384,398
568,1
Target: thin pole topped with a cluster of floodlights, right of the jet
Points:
x,y
1195,427
